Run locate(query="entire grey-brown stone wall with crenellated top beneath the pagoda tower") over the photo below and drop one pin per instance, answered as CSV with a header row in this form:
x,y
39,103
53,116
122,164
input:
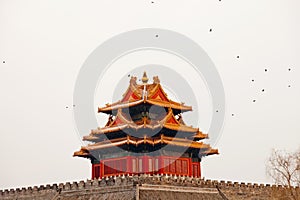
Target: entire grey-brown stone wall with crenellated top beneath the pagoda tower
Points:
x,y
152,187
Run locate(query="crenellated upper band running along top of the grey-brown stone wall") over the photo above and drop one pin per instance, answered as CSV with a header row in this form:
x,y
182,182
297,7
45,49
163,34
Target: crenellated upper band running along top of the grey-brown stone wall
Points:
x,y
130,183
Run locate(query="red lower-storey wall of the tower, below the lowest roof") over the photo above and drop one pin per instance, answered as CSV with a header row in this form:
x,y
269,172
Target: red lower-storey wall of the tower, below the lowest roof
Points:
x,y
146,165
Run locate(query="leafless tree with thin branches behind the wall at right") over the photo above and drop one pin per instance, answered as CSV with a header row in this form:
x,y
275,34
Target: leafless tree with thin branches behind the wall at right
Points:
x,y
284,168
